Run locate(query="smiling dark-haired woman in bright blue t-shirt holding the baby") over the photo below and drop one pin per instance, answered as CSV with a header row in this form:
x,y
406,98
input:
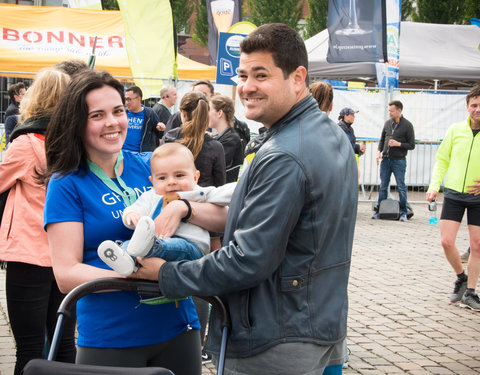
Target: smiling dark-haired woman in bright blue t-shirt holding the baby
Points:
x,y
90,181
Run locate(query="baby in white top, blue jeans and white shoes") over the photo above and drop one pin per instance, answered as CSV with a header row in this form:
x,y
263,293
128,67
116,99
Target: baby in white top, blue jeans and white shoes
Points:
x,y
173,177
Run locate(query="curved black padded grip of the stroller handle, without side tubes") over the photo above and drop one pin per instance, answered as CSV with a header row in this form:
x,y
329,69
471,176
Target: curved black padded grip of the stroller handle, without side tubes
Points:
x,y
142,287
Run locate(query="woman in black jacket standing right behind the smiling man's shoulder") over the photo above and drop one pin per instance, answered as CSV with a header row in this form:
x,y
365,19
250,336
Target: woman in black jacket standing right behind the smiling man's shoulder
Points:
x,y
222,110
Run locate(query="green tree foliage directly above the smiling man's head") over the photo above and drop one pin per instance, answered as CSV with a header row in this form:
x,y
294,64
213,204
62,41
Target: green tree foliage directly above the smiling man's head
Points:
x,y
288,12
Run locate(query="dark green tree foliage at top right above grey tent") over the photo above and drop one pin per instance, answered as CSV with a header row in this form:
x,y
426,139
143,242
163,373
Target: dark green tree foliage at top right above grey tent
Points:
x,y
440,11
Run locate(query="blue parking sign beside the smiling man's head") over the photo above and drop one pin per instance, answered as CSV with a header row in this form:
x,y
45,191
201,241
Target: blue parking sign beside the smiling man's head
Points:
x,y
228,58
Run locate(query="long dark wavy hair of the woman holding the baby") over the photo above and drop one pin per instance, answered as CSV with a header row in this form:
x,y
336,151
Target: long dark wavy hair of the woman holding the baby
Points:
x,y
65,150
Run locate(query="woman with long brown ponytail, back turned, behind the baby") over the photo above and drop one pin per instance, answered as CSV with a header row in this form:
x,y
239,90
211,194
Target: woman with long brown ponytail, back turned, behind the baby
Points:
x,y
208,153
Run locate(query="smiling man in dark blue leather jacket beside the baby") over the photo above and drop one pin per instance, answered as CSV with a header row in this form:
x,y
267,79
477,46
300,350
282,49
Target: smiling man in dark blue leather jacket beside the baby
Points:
x,y
284,266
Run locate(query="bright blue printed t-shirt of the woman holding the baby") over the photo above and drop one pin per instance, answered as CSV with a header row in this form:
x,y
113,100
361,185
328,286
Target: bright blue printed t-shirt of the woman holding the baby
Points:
x,y
113,319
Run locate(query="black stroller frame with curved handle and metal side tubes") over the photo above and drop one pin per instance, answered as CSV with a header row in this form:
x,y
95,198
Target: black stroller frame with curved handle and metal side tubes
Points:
x,y
142,288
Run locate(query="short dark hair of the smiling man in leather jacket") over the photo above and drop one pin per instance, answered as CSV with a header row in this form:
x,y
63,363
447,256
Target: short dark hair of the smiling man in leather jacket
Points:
x,y
285,44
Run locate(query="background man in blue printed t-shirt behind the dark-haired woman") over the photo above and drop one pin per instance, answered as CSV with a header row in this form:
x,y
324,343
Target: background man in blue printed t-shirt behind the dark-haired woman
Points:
x,y
143,134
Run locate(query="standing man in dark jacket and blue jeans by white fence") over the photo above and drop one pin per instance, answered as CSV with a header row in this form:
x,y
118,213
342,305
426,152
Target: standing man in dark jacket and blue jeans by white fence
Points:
x,y
397,138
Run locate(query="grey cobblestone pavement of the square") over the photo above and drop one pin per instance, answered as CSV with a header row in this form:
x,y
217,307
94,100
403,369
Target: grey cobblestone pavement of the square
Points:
x,y
400,321
